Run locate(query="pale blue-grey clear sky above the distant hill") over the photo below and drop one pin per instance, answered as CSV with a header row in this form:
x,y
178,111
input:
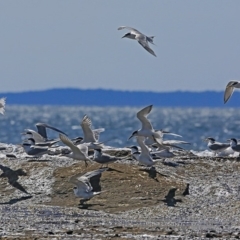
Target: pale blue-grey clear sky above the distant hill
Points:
x,y
75,43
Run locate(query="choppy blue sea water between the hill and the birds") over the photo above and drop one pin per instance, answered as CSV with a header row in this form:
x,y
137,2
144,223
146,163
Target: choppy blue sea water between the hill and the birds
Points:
x,y
194,124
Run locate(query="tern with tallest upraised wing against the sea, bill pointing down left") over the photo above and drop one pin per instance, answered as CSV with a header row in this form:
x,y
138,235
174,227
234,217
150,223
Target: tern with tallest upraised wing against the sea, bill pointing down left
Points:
x,y
147,129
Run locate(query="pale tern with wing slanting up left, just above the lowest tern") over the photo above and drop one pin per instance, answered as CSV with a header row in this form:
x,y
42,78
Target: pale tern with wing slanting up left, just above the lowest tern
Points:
x,y
79,152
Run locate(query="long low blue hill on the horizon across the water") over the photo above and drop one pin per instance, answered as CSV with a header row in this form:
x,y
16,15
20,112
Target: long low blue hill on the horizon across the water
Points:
x,y
100,97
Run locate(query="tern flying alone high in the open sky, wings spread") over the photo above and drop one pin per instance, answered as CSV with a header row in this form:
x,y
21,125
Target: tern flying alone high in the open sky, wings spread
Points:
x,y
140,37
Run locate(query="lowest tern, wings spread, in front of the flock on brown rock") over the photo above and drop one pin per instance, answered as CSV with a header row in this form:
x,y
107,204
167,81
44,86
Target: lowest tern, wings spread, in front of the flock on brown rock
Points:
x,y
85,189
